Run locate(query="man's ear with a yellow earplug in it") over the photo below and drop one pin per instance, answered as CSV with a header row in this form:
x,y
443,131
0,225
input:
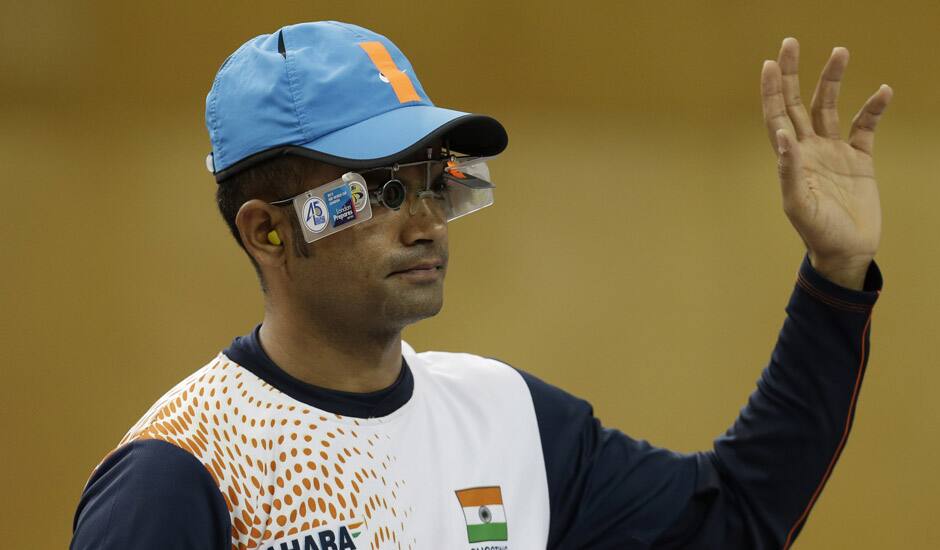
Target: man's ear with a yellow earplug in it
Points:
x,y
255,220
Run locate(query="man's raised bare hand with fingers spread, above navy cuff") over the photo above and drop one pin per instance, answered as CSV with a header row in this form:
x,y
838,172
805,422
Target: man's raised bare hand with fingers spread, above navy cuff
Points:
x,y
828,184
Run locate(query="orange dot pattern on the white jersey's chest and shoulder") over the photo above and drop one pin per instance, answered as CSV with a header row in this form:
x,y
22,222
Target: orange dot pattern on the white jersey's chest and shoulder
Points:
x,y
282,466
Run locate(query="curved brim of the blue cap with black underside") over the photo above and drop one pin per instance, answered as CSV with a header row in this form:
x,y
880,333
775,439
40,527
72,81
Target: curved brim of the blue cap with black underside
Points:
x,y
392,136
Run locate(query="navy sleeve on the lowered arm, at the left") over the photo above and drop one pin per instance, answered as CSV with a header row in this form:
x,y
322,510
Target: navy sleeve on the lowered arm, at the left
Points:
x,y
151,494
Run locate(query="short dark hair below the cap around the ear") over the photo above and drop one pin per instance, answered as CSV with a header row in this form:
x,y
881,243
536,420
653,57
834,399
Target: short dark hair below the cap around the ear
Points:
x,y
274,179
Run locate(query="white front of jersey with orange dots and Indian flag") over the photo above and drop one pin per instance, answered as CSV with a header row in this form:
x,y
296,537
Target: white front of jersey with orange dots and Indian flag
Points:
x,y
289,472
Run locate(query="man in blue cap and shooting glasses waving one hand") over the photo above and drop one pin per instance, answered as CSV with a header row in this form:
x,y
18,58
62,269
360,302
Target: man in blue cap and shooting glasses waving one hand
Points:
x,y
322,430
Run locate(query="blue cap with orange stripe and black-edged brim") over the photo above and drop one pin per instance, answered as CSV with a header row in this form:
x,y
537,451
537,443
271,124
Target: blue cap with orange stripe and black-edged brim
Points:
x,y
333,92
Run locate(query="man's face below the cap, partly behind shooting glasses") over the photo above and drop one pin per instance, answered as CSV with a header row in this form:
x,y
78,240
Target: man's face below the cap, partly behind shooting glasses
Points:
x,y
380,275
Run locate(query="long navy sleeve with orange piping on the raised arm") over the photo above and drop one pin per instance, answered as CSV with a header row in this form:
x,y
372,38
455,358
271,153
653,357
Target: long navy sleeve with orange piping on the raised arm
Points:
x,y
756,487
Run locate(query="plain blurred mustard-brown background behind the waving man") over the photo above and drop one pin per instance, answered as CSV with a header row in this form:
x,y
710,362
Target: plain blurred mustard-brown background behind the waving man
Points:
x,y
119,277
